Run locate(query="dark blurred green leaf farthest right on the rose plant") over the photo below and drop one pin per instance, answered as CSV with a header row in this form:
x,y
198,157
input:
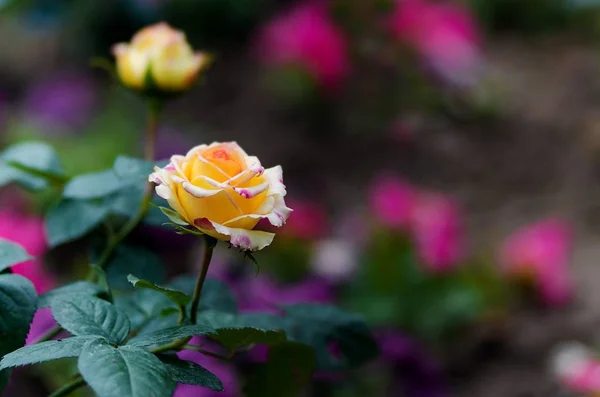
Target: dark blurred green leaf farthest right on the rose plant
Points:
x,y
319,326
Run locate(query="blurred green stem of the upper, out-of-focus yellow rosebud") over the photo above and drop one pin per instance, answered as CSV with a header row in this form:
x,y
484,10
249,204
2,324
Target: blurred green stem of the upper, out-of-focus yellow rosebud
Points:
x,y
154,111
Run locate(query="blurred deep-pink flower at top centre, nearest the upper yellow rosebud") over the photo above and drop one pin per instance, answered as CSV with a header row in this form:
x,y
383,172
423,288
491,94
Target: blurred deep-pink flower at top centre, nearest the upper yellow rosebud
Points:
x,y
306,37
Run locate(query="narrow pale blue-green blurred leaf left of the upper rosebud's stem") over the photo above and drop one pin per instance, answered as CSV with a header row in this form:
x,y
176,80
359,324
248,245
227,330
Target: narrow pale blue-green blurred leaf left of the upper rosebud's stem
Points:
x,y
93,185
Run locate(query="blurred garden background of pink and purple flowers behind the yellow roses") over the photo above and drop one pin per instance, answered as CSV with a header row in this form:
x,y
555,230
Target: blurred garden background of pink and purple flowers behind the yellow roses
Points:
x,y
442,158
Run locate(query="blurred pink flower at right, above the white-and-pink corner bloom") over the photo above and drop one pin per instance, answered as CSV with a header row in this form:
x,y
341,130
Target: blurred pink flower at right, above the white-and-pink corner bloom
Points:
x,y
540,253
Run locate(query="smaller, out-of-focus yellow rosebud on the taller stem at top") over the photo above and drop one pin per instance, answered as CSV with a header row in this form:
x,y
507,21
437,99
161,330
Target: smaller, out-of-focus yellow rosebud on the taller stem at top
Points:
x,y
158,57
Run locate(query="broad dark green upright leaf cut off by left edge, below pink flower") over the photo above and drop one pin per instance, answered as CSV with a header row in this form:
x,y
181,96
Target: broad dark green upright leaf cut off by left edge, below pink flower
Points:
x,y
17,307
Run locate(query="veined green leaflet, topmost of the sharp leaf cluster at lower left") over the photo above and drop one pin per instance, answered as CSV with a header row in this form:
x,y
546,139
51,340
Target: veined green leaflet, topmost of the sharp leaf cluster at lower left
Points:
x,y
86,315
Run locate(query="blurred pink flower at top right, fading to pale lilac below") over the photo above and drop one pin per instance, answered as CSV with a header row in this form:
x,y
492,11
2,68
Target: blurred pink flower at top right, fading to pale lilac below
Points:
x,y
444,33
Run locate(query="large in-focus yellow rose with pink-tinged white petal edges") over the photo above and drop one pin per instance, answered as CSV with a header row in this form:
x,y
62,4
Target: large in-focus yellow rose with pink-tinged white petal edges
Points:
x,y
223,192
